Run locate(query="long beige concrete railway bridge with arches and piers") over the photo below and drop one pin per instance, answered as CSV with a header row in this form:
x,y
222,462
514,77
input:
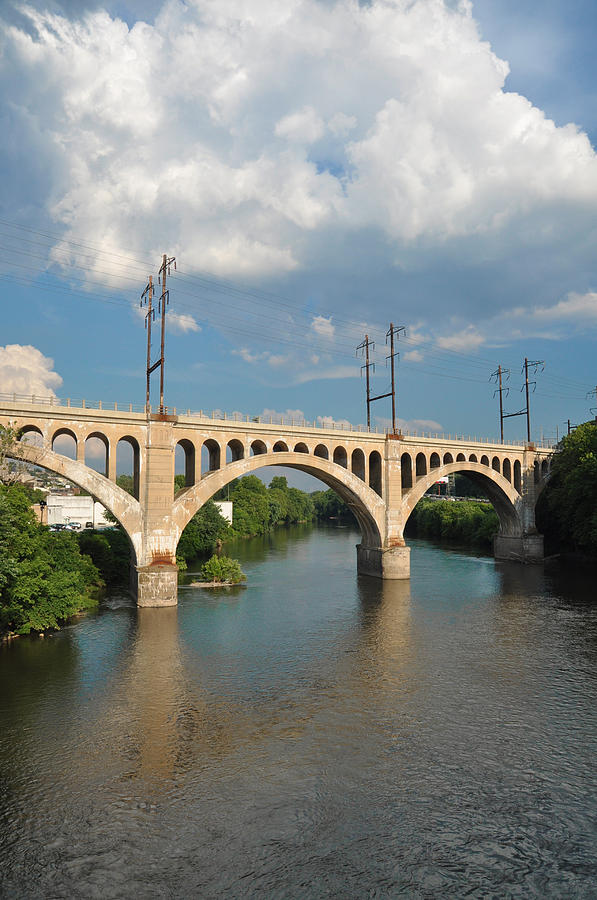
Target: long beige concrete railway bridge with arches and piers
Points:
x,y
380,476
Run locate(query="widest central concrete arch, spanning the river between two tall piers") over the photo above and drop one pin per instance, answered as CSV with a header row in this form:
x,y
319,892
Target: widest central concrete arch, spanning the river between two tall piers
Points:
x,y
367,506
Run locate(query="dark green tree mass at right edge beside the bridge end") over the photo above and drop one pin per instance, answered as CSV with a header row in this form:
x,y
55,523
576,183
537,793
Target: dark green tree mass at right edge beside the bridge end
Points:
x,y
567,508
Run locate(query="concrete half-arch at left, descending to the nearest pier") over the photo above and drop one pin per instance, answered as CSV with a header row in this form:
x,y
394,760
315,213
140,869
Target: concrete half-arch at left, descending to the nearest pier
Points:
x,y
124,507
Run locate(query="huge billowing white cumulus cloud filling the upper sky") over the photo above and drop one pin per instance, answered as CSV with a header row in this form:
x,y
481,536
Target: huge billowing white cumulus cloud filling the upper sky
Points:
x,y
269,140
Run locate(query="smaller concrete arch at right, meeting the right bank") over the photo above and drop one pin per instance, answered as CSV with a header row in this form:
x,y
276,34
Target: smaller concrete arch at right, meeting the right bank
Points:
x,y
504,498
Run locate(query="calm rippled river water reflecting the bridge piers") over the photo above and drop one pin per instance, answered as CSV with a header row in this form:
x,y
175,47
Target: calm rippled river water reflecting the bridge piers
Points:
x,y
314,734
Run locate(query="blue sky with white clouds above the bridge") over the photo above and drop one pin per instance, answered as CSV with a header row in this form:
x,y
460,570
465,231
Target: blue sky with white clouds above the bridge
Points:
x,y
319,169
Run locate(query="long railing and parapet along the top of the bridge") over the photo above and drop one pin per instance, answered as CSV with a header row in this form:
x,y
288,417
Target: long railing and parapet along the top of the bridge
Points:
x,y
321,422
